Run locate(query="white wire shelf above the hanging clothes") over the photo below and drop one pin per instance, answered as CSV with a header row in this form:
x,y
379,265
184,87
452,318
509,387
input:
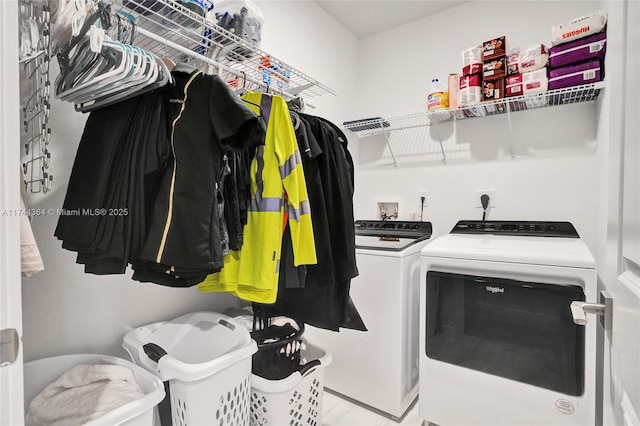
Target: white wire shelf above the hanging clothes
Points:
x,y
168,28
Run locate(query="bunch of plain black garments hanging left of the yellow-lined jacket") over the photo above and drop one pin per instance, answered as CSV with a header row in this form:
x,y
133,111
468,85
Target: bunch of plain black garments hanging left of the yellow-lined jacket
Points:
x,y
113,181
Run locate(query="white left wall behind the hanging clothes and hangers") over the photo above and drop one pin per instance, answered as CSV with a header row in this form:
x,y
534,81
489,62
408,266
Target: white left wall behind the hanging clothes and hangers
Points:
x,y
68,311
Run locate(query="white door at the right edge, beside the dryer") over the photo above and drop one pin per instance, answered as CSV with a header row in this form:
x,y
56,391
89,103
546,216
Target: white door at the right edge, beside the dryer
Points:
x,y
621,270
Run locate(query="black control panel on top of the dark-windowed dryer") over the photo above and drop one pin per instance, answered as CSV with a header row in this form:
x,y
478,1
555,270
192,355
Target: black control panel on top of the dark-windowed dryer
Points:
x,y
523,228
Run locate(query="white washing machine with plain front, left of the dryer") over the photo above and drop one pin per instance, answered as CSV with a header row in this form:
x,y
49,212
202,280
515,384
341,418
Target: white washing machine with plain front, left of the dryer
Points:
x,y
378,368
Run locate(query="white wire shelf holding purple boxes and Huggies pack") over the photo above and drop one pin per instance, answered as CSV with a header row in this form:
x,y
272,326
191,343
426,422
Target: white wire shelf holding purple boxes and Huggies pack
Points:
x,y
569,95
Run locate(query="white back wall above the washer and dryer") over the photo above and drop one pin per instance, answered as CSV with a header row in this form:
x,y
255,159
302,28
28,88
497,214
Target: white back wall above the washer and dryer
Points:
x,y
554,173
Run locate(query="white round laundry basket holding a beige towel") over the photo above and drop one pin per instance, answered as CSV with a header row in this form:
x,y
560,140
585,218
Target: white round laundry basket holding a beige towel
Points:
x,y
40,373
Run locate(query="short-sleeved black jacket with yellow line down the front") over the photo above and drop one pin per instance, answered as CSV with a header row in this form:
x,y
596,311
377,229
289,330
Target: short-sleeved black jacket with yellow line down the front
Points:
x,y
206,118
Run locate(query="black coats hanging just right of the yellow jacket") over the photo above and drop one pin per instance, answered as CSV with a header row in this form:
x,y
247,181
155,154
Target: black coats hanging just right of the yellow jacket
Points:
x,y
324,300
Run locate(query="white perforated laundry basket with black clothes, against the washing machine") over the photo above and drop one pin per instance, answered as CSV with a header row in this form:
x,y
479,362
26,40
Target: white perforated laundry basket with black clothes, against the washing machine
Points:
x,y
295,400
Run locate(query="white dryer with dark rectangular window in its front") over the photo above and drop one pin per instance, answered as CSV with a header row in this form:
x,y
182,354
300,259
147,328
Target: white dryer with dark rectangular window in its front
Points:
x,y
498,344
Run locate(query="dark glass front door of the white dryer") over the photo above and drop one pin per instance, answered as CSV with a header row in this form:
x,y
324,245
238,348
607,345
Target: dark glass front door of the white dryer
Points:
x,y
518,330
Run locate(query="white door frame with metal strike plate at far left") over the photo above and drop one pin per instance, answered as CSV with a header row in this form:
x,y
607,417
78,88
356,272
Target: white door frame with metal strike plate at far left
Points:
x,y
11,376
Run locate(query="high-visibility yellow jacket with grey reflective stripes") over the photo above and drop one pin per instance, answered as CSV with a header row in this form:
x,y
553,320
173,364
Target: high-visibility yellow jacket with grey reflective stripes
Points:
x,y
277,187
